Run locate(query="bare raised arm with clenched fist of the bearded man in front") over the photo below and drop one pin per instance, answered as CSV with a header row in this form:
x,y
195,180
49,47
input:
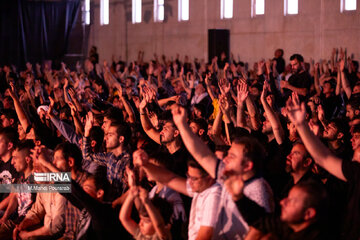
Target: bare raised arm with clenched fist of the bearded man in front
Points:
x,y
196,147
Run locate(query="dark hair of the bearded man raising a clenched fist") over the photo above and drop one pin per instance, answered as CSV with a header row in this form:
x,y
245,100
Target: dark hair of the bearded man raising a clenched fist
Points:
x,y
254,151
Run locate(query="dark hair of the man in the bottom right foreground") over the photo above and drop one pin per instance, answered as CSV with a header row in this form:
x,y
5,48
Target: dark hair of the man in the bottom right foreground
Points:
x,y
316,197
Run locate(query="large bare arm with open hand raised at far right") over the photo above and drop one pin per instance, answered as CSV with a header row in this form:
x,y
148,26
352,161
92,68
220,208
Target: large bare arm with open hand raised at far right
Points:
x,y
315,147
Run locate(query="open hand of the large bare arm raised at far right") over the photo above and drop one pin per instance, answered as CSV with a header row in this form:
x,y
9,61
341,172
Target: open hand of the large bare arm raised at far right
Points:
x,y
295,110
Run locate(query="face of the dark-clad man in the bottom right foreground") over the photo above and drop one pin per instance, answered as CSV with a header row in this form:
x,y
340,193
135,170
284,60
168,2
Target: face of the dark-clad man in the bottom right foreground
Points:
x,y
293,206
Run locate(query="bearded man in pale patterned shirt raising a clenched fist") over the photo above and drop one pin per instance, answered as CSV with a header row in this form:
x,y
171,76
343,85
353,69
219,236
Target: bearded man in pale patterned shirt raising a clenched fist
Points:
x,y
244,156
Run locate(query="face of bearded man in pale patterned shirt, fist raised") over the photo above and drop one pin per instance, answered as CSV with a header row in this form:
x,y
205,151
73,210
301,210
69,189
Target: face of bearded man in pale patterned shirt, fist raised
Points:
x,y
235,160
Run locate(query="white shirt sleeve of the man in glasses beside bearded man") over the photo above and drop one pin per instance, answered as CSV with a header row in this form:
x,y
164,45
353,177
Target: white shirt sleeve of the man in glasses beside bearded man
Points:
x,y
211,207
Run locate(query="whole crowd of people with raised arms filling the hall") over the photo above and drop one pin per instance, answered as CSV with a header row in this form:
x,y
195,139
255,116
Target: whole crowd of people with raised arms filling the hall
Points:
x,y
183,149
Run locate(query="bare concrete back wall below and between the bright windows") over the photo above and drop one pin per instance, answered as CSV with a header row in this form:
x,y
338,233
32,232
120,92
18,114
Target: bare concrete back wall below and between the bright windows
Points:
x,y
317,28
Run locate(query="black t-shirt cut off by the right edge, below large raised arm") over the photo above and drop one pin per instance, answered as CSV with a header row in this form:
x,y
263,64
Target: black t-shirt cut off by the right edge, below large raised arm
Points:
x,y
351,229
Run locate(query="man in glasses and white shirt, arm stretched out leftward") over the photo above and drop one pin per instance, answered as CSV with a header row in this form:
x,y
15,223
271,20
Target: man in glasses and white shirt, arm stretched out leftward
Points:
x,y
203,189
